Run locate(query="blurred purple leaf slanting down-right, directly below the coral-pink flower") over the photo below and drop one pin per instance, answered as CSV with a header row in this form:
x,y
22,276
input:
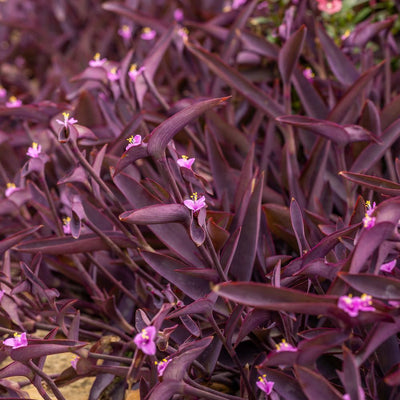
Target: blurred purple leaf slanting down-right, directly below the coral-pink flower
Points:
x,y
339,64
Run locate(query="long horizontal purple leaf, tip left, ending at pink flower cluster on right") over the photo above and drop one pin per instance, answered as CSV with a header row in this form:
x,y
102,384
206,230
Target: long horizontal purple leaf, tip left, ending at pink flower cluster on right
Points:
x,y
267,297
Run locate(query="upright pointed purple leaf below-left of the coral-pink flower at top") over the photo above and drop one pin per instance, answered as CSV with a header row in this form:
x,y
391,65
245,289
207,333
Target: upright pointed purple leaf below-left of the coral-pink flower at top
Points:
x,y
290,53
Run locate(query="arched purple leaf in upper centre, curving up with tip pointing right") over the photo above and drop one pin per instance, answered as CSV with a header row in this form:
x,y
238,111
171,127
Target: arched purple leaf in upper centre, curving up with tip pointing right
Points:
x,y
165,132
